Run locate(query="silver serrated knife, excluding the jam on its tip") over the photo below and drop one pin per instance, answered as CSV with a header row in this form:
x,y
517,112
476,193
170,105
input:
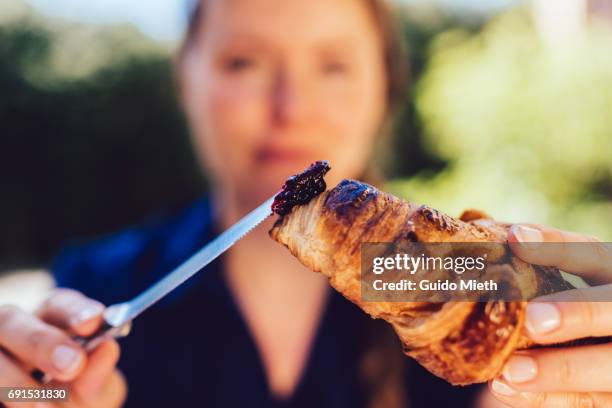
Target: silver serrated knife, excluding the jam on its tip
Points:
x,y
118,317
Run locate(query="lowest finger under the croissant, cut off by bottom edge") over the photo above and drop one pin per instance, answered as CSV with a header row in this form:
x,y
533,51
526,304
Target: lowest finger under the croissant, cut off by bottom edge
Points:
x,y
516,399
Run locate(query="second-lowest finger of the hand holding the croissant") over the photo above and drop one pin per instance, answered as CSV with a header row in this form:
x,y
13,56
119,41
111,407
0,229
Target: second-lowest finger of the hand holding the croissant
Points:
x,y
561,370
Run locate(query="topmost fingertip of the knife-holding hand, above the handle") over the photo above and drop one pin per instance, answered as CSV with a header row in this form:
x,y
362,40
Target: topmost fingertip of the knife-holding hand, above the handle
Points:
x,y
71,310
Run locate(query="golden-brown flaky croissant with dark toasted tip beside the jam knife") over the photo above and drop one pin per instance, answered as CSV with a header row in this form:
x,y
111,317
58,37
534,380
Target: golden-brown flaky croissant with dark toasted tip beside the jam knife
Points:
x,y
462,342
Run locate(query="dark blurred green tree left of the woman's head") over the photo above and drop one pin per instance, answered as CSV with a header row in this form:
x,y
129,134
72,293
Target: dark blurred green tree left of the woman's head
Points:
x,y
82,156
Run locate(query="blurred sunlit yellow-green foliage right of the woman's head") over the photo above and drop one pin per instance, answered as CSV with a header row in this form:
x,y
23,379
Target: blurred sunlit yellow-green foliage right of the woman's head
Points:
x,y
526,129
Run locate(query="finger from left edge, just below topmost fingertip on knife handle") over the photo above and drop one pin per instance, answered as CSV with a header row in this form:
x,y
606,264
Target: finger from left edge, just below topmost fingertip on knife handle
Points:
x,y
35,342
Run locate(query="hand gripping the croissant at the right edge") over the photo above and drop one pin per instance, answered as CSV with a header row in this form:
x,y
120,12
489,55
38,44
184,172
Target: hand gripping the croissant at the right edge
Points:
x,y
569,376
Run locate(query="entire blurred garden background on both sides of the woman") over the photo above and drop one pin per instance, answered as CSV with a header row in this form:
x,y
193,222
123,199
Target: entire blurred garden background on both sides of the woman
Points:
x,y
509,110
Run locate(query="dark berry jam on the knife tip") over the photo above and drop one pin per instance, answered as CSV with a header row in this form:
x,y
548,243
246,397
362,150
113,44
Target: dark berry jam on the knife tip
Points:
x,y
301,188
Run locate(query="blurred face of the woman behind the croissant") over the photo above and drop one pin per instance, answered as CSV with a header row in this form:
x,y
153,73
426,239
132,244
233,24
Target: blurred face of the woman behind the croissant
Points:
x,y
273,85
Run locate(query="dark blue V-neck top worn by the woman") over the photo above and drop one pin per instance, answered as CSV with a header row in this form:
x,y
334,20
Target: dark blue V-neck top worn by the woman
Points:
x,y
194,348
